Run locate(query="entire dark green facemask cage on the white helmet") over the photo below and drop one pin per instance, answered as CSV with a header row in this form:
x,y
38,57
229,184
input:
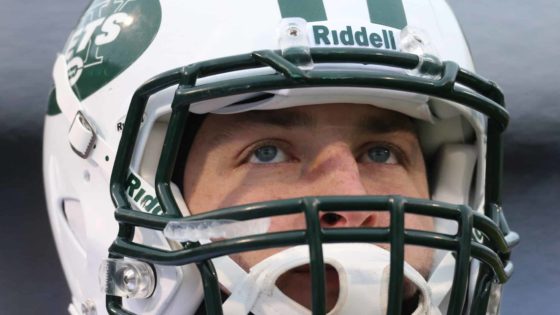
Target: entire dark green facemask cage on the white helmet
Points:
x,y
471,90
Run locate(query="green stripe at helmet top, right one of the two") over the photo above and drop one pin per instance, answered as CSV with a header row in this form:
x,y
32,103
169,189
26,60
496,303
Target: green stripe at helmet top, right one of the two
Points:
x,y
387,12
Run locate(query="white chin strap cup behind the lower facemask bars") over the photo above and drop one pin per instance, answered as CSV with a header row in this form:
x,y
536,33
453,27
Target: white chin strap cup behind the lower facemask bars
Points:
x,y
363,272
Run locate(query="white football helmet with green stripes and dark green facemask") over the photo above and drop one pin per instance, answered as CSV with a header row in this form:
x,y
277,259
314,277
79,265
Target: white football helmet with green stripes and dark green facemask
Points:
x,y
134,82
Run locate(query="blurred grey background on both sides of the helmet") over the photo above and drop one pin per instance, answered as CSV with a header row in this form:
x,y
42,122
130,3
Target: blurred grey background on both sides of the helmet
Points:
x,y
515,43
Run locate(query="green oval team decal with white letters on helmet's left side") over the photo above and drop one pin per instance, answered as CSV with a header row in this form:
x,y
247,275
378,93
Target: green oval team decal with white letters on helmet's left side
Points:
x,y
121,29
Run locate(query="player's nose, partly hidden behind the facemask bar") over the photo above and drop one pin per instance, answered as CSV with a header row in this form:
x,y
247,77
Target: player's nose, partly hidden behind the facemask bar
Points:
x,y
334,171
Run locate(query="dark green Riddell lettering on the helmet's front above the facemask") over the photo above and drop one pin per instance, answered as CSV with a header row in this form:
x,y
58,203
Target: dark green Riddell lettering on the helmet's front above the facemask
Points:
x,y
348,37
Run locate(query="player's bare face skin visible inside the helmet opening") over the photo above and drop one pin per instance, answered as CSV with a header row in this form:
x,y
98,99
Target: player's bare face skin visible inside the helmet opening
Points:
x,y
320,150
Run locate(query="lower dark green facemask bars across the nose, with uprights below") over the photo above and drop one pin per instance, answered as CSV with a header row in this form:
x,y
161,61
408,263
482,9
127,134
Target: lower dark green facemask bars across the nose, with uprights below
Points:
x,y
462,242
